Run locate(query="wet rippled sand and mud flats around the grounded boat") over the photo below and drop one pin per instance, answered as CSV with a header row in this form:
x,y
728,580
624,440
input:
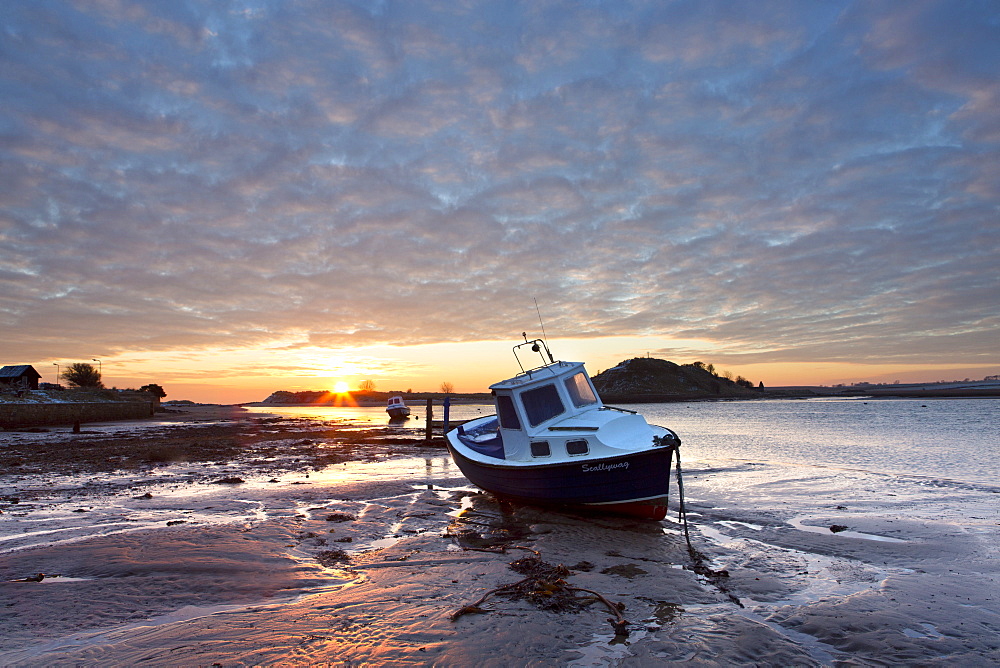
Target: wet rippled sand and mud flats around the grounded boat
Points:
x,y
217,536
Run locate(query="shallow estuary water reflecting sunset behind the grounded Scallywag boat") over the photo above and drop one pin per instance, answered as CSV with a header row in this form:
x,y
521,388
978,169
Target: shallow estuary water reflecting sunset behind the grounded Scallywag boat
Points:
x,y
954,439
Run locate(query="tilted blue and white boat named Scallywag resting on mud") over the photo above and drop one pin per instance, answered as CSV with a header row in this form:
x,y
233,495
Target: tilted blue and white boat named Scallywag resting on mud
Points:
x,y
554,442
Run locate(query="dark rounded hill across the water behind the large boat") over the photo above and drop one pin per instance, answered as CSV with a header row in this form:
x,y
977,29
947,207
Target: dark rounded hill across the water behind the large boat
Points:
x,y
648,379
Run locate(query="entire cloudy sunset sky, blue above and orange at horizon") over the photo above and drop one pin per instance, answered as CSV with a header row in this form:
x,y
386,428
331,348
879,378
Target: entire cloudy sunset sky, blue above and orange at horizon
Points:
x,y
230,198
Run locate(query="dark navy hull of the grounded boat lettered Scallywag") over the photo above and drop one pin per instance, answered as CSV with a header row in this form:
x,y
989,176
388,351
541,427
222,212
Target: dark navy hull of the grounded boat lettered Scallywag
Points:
x,y
633,484
